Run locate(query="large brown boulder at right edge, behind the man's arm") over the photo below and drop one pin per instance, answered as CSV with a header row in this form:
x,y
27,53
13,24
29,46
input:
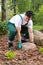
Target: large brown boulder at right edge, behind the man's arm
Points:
x,y
38,37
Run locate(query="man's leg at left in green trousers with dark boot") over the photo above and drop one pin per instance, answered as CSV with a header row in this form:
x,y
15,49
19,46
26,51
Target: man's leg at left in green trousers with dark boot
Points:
x,y
12,33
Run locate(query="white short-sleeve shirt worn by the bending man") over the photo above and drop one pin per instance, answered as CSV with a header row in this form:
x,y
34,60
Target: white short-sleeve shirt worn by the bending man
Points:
x,y
18,21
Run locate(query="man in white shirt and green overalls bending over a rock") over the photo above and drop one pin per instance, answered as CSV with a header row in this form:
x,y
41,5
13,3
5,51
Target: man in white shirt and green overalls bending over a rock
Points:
x,y
21,23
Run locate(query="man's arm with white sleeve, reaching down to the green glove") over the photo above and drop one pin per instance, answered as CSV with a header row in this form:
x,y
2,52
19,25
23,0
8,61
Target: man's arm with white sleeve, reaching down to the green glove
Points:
x,y
18,27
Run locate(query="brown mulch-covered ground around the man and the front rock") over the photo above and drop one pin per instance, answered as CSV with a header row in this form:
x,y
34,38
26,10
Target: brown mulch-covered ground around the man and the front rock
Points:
x,y
23,57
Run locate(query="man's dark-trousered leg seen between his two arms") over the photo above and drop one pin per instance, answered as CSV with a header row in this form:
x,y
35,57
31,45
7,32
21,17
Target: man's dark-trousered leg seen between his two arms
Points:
x,y
24,31
